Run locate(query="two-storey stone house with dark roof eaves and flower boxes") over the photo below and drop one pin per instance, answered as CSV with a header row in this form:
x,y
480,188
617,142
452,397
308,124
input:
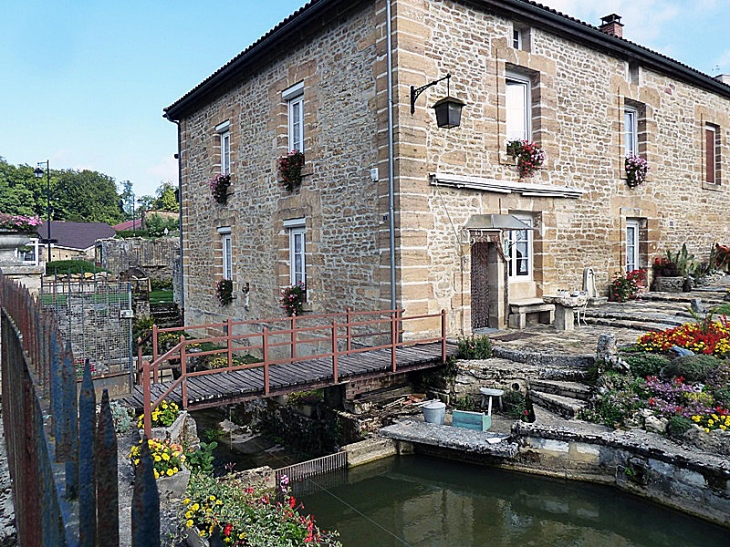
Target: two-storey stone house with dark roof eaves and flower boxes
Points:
x,y
320,81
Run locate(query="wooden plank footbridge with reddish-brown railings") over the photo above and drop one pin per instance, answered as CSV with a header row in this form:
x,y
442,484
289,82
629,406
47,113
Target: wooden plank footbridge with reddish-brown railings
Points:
x,y
289,354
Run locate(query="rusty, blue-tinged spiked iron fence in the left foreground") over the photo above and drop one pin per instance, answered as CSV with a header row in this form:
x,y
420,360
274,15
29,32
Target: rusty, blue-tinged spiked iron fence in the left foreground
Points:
x,y
63,465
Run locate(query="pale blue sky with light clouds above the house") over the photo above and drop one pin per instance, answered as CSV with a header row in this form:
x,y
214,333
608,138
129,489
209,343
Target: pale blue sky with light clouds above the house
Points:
x,y
83,83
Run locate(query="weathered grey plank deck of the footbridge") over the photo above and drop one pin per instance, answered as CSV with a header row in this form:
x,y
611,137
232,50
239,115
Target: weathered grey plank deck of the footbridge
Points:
x,y
209,390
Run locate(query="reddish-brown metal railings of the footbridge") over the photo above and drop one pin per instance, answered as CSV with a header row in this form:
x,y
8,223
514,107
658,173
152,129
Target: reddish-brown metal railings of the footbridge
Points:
x,y
284,340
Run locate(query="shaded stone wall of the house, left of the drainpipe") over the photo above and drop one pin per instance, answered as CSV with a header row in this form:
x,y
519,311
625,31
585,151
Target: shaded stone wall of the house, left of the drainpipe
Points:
x,y
338,199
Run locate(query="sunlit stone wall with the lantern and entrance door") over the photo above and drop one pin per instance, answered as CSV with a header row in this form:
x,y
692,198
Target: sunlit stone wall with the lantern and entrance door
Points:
x,y
578,99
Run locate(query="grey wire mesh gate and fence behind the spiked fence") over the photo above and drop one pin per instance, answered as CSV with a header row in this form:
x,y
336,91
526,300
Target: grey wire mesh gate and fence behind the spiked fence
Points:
x,y
95,316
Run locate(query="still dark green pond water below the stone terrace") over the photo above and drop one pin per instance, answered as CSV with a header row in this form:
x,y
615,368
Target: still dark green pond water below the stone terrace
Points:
x,y
426,502
